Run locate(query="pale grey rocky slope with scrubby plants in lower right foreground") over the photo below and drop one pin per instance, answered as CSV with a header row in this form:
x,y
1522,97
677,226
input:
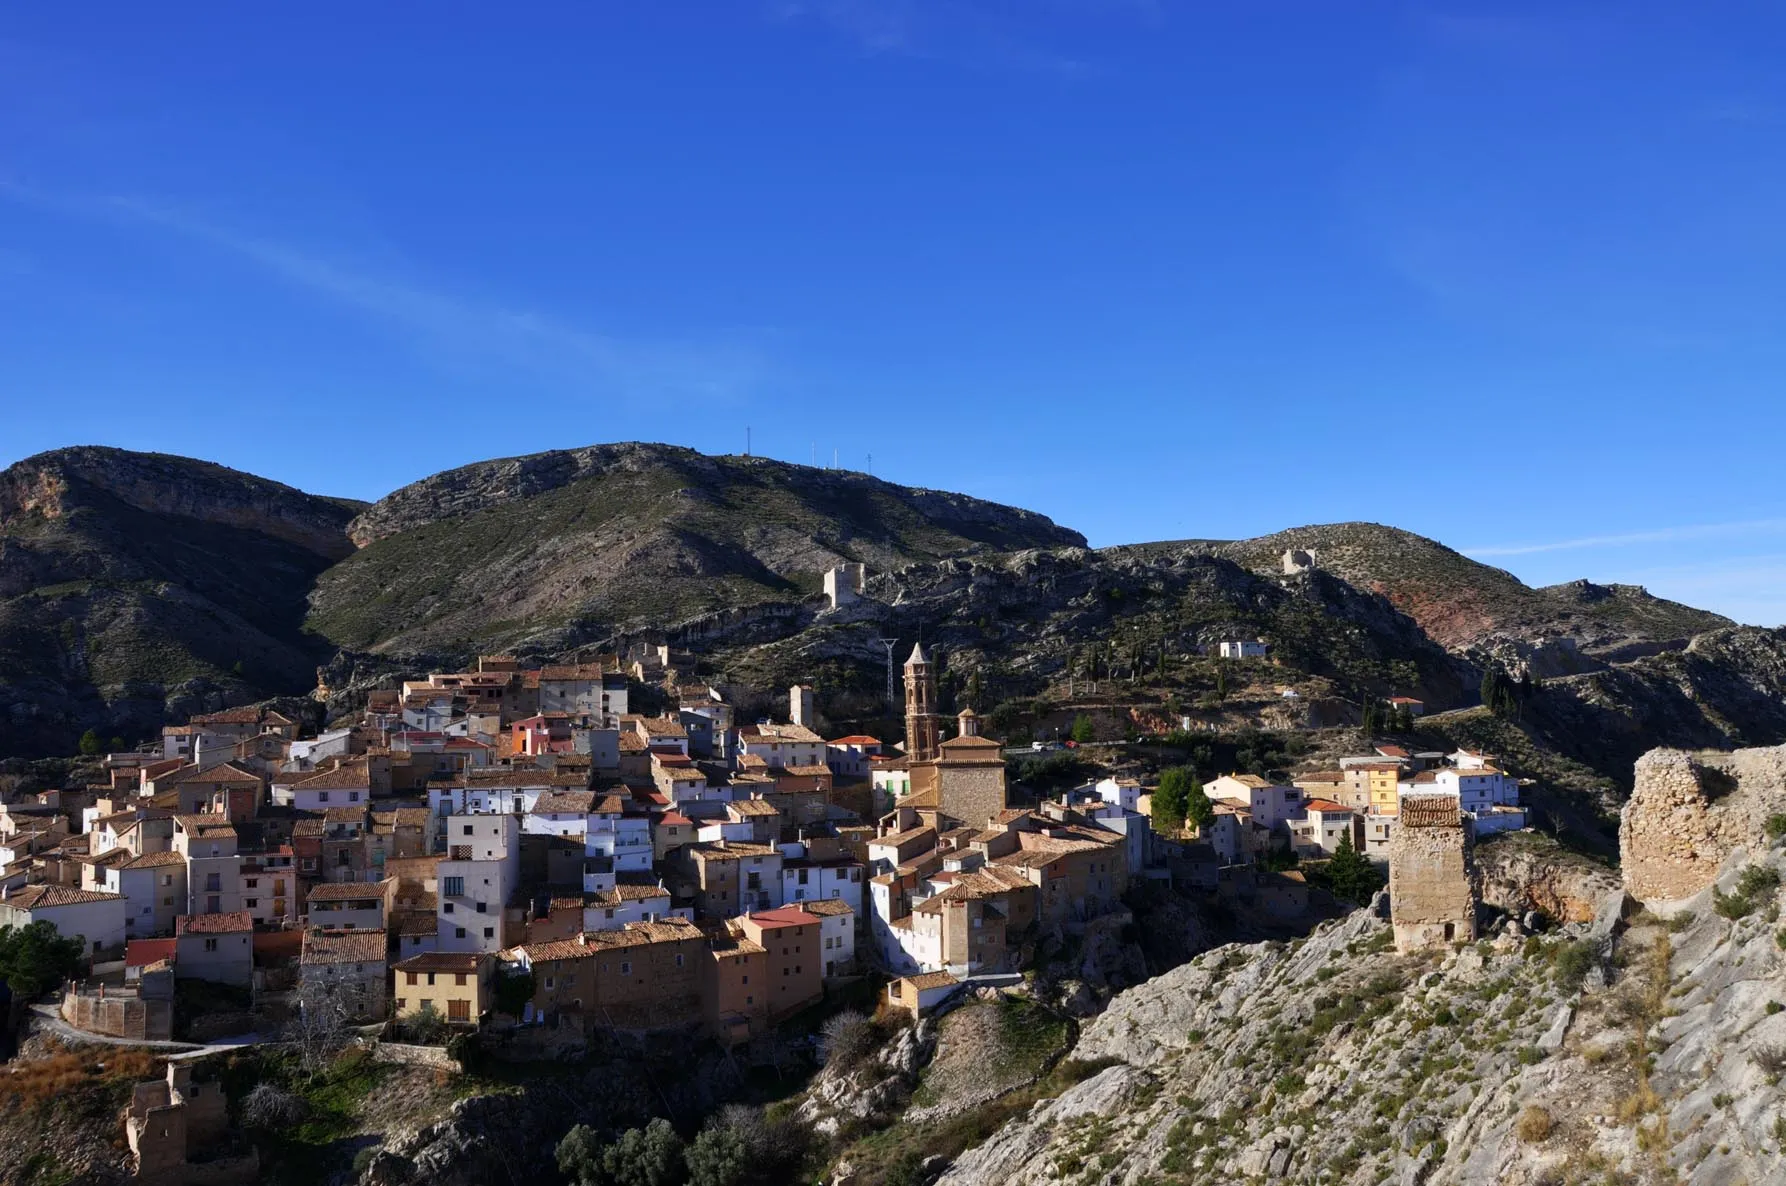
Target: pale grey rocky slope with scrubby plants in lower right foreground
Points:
x,y
1590,1055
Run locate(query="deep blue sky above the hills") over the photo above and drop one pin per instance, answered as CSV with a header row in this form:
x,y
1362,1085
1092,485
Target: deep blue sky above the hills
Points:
x,y
1510,276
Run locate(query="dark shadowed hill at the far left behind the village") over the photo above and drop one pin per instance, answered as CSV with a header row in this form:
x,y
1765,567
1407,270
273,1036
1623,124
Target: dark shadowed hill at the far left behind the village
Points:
x,y
140,587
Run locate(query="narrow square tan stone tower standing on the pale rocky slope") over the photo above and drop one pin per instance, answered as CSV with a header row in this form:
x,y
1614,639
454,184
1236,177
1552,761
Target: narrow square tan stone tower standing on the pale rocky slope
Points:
x,y
1433,894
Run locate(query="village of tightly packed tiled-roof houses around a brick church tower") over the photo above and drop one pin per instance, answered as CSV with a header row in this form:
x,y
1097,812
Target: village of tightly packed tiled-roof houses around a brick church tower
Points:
x,y
478,831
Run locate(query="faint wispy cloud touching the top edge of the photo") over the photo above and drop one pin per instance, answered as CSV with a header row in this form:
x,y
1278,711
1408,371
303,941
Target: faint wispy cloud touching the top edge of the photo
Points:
x,y
946,31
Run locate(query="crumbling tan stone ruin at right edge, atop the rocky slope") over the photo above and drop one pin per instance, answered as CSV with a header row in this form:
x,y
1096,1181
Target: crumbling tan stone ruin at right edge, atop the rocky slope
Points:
x,y
1690,812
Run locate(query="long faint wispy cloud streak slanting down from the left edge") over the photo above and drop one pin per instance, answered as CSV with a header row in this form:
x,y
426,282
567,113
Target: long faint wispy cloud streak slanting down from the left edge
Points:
x,y
446,326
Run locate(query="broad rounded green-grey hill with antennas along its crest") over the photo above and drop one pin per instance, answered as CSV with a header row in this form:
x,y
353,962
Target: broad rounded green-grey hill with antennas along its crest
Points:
x,y
506,553
